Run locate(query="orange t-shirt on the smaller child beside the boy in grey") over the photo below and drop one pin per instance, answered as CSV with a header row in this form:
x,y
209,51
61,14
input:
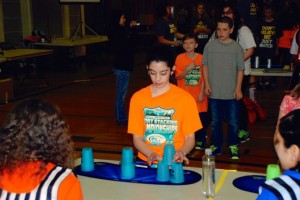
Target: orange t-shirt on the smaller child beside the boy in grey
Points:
x,y
192,82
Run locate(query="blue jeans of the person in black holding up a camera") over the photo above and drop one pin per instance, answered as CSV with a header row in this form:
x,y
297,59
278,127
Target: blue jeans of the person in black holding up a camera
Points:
x,y
122,81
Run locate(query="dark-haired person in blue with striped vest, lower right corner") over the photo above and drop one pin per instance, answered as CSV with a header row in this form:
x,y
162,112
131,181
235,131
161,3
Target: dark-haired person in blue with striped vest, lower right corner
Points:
x,y
287,146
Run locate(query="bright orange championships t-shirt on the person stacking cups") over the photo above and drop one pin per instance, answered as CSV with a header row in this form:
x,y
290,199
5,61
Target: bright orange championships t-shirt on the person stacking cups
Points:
x,y
167,117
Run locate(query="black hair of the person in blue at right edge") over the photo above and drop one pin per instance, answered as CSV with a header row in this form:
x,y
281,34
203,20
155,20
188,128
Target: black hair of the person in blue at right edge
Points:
x,y
289,128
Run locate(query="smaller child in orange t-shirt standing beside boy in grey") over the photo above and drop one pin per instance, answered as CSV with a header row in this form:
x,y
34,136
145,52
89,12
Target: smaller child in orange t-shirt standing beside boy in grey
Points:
x,y
189,75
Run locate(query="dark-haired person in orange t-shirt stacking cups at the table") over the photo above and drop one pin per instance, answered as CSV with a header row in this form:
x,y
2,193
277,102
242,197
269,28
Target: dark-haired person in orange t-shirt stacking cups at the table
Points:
x,y
162,113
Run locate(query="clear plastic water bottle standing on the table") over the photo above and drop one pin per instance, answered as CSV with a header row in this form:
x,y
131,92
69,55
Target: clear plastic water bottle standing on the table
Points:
x,y
208,173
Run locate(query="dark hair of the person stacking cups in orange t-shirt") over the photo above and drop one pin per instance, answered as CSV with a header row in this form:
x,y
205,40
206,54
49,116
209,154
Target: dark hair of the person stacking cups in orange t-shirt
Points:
x,y
161,54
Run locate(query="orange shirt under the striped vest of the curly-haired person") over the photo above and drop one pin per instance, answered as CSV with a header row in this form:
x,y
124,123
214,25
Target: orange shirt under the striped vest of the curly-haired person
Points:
x,y
23,181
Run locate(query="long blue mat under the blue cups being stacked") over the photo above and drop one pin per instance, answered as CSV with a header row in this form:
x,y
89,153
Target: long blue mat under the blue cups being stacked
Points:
x,y
110,171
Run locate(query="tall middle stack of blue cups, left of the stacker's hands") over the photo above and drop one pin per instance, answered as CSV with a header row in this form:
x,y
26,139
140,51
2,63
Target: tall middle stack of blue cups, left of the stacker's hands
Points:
x,y
127,164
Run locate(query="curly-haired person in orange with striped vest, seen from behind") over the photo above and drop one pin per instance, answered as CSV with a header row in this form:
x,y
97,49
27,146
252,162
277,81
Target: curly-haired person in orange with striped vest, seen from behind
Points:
x,y
36,154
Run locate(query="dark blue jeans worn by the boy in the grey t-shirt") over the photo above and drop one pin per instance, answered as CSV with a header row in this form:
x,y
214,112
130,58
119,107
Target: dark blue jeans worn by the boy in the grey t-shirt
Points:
x,y
221,110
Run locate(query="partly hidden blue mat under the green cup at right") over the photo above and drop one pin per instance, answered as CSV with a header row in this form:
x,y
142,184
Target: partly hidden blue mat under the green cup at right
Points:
x,y
249,183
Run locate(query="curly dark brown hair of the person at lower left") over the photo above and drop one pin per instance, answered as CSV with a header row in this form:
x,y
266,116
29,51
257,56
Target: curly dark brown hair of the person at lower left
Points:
x,y
35,131
